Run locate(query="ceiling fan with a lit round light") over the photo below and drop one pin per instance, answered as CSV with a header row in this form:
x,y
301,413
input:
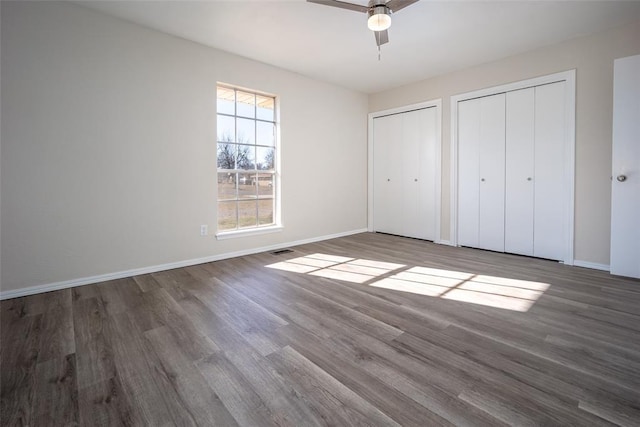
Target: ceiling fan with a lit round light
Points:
x,y
378,12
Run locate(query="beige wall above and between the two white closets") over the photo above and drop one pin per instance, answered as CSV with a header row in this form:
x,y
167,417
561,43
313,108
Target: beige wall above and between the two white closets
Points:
x,y
592,57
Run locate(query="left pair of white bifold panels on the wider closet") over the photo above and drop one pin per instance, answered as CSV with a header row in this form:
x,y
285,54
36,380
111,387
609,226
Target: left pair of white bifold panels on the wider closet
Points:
x,y
481,169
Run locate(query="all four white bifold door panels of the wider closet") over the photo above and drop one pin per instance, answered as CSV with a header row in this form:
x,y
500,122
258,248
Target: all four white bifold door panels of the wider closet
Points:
x,y
515,144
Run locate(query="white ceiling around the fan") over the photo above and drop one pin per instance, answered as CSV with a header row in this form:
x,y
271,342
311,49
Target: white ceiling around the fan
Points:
x,y
426,39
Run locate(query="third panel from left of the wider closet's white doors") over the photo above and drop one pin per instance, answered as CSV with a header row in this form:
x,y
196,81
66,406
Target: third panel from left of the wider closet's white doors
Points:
x,y
519,184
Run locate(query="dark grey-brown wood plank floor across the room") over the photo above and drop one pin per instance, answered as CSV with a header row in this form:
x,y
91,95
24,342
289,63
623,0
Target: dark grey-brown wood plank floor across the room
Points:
x,y
363,330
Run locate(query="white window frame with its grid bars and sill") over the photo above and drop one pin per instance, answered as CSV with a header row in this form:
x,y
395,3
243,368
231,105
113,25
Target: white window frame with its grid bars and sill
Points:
x,y
258,229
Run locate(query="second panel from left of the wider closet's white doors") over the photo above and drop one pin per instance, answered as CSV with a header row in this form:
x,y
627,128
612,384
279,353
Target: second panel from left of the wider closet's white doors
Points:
x,y
492,171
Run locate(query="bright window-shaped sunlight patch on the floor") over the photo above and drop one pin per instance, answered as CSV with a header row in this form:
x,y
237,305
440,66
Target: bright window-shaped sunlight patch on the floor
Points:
x,y
492,291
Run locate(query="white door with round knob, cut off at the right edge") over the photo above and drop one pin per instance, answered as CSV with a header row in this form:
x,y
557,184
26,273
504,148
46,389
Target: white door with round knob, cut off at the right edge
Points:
x,y
625,186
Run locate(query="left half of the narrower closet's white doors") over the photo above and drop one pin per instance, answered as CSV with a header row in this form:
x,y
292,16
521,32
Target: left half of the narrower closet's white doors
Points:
x,y
387,164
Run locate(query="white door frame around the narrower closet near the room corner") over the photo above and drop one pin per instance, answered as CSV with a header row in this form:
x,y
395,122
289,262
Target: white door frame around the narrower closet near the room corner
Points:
x,y
435,103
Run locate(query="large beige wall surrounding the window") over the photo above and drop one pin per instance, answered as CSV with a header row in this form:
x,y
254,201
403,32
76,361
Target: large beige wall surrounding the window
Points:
x,y
109,154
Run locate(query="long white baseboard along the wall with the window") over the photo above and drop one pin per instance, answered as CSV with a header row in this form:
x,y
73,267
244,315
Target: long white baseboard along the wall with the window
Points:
x,y
155,268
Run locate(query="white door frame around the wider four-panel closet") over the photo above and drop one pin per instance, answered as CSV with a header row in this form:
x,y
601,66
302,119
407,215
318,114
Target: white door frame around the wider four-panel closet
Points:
x,y
569,77
